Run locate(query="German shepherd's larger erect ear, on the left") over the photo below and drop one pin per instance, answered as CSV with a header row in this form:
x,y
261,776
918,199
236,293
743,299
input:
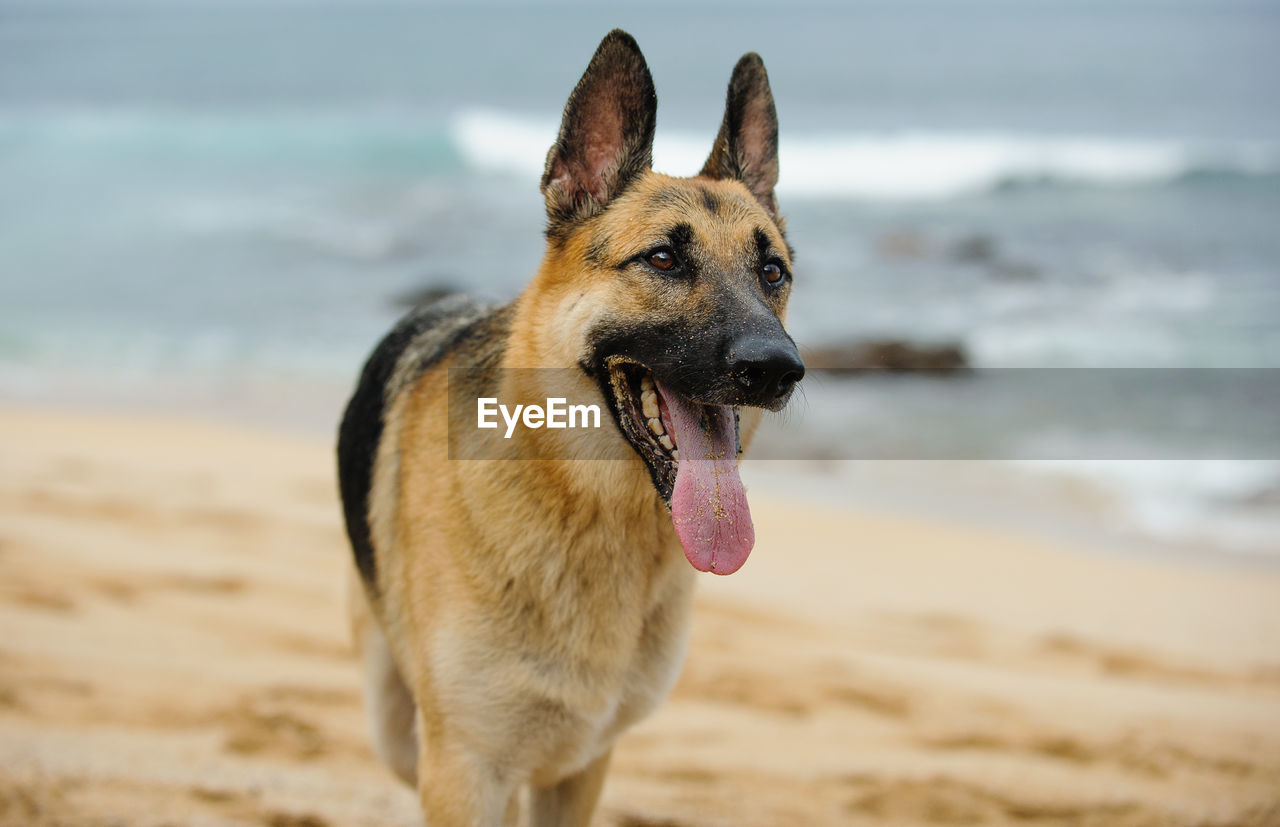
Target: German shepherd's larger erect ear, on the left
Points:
x,y
606,139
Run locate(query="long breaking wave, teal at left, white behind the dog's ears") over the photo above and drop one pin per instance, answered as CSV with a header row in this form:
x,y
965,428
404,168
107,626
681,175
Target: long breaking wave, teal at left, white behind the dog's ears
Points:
x,y
911,166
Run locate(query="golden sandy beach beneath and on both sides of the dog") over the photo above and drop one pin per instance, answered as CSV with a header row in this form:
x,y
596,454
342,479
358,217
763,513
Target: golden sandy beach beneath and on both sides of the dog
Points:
x,y
173,652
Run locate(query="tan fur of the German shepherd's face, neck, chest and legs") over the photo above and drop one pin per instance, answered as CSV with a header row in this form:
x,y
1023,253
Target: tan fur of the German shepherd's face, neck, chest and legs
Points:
x,y
532,611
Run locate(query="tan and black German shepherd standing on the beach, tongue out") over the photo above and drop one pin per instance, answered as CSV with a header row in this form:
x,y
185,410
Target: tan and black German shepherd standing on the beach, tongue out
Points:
x,y
515,618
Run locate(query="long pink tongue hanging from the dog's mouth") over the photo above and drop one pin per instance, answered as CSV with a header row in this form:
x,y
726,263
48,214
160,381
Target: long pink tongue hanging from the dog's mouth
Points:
x,y
708,505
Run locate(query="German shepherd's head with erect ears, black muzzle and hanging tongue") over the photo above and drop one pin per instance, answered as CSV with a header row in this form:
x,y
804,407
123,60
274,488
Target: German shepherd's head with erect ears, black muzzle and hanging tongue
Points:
x,y
691,280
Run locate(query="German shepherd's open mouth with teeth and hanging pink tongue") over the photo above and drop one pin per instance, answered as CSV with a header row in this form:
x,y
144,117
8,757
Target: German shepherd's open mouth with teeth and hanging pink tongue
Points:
x,y
692,453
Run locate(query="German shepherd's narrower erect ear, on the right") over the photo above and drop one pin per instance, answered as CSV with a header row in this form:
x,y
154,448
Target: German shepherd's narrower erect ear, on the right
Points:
x,y
747,148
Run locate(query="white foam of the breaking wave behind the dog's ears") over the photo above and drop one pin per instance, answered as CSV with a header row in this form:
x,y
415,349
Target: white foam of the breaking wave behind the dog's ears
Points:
x,y
894,166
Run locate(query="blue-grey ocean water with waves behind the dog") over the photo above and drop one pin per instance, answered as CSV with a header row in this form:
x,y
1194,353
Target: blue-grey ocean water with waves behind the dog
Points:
x,y
216,207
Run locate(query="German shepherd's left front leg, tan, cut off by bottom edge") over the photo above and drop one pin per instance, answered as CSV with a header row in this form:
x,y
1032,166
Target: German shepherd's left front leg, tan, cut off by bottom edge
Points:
x,y
461,789
